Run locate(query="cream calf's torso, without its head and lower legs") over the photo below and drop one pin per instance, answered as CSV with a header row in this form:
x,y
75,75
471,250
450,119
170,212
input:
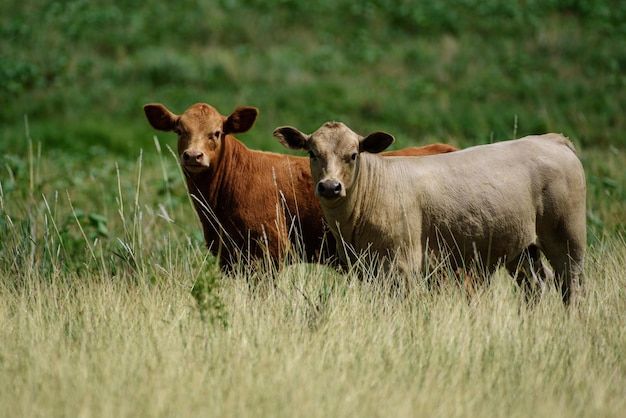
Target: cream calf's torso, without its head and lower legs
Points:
x,y
490,200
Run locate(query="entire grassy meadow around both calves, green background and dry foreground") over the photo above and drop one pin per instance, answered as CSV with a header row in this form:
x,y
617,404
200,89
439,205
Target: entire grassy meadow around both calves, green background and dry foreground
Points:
x,y
109,302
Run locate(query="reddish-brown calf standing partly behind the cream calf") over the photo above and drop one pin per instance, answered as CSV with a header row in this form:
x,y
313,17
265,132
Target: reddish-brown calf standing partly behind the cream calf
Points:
x,y
252,204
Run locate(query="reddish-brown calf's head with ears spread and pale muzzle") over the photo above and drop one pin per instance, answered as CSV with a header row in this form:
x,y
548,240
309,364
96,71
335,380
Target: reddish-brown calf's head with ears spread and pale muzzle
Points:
x,y
201,130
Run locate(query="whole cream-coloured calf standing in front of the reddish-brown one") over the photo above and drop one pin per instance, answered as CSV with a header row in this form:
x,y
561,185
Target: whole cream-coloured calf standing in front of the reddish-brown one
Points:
x,y
499,203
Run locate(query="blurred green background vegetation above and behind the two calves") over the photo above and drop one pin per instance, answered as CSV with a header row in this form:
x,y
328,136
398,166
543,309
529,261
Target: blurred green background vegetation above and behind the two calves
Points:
x,y
75,74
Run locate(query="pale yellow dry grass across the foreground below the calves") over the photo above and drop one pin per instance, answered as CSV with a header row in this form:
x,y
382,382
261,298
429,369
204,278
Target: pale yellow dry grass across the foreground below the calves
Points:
x,y
314,344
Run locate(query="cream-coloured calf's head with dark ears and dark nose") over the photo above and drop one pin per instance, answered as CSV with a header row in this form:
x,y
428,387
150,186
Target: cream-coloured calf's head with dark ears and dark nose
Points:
x,y
334,151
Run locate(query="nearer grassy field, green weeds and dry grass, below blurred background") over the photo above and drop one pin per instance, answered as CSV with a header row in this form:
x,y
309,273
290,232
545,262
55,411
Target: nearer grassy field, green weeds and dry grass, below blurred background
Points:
x,y
110,306
